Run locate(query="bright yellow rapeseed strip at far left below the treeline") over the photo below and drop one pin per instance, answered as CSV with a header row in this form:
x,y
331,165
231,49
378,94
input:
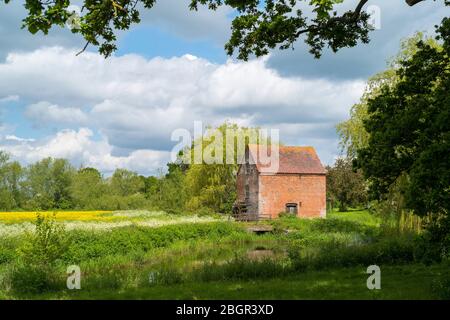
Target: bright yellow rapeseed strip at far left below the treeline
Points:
x,y
23,216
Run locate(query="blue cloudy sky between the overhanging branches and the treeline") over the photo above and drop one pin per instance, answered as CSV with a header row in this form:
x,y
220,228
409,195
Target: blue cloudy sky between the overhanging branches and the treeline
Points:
x,y
172,70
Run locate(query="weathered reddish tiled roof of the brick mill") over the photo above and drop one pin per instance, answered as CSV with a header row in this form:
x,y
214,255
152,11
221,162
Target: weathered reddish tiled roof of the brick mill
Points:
x,y
291,160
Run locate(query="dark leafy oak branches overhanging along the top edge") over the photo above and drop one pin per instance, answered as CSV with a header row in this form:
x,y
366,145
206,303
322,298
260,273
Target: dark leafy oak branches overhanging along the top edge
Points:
x,y
257,27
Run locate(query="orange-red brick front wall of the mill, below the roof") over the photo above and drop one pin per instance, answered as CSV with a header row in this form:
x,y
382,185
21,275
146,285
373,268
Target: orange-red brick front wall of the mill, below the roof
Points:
x,y
308,191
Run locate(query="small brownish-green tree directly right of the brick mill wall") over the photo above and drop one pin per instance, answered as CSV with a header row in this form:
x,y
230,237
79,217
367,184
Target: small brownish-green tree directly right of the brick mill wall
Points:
x,y
346,185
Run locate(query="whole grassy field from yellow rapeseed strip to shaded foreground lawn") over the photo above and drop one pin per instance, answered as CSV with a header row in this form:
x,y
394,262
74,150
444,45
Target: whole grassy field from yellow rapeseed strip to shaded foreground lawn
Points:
x,y
154,255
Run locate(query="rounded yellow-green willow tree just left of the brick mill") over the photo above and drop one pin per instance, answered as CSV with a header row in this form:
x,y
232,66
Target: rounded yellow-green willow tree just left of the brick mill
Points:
x,y
211,182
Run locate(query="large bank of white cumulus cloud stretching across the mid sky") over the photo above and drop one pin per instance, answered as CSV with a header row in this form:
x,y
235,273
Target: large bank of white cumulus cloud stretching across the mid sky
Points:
x,y
136,103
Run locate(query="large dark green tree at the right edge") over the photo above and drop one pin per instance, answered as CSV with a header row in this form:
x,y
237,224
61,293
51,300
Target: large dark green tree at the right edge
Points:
x,y
409,130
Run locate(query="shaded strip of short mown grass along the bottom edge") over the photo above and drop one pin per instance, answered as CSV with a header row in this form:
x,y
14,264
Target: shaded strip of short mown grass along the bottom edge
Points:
x,y
406,282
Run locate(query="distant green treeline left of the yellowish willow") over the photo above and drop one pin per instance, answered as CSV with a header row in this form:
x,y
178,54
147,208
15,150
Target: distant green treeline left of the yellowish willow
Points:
x,y
55,184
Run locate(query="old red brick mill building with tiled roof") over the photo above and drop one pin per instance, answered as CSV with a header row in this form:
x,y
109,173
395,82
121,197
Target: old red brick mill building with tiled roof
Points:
x,y
297,185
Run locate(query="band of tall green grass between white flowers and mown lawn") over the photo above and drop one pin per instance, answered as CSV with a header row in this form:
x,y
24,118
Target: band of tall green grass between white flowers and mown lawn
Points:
x,y
137,256
